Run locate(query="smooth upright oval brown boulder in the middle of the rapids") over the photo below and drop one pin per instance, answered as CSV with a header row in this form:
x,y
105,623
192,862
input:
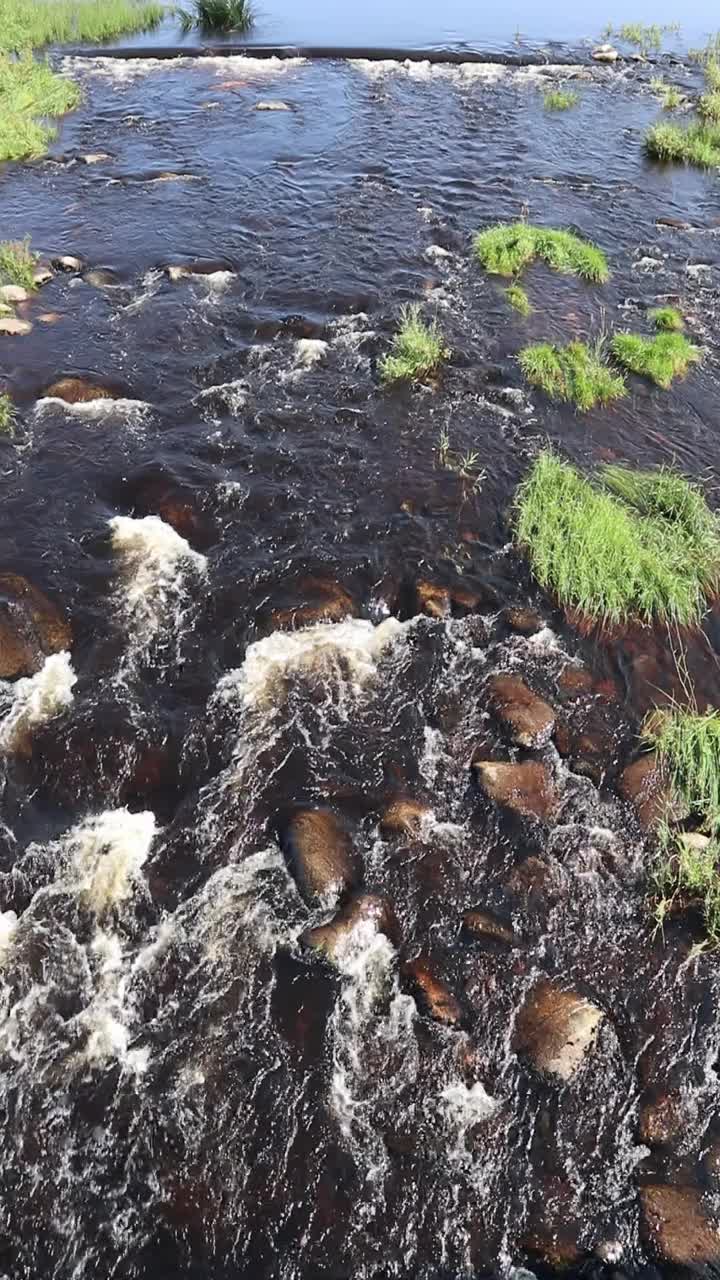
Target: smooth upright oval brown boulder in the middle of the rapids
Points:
x,y
321,854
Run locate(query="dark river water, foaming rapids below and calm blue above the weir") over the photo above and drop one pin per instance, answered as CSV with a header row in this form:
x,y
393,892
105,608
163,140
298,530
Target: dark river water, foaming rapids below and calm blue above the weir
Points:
x,y
252,546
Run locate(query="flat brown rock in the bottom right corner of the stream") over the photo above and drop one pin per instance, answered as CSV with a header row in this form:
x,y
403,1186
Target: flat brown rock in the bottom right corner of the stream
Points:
x,y
676,1224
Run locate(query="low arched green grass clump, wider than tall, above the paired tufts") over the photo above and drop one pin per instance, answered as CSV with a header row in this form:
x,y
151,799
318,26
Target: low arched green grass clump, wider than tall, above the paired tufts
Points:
x,y
508,249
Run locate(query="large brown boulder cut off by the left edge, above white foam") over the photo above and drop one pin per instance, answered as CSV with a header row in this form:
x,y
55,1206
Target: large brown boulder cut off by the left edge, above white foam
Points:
x,y
31,628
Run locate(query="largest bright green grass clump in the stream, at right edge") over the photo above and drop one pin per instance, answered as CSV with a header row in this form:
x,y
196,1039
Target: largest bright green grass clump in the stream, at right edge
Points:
x,y
622,546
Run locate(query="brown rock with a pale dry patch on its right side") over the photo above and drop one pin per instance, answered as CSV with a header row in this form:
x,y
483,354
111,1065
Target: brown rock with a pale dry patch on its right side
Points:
x,y
555,1030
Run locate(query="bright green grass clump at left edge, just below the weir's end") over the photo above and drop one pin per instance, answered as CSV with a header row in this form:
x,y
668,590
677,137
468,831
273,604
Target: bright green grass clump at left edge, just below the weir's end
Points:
x,y
31,93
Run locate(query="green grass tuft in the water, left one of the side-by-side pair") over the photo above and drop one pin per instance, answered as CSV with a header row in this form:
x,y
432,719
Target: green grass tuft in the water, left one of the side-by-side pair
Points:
x,y
575,373
